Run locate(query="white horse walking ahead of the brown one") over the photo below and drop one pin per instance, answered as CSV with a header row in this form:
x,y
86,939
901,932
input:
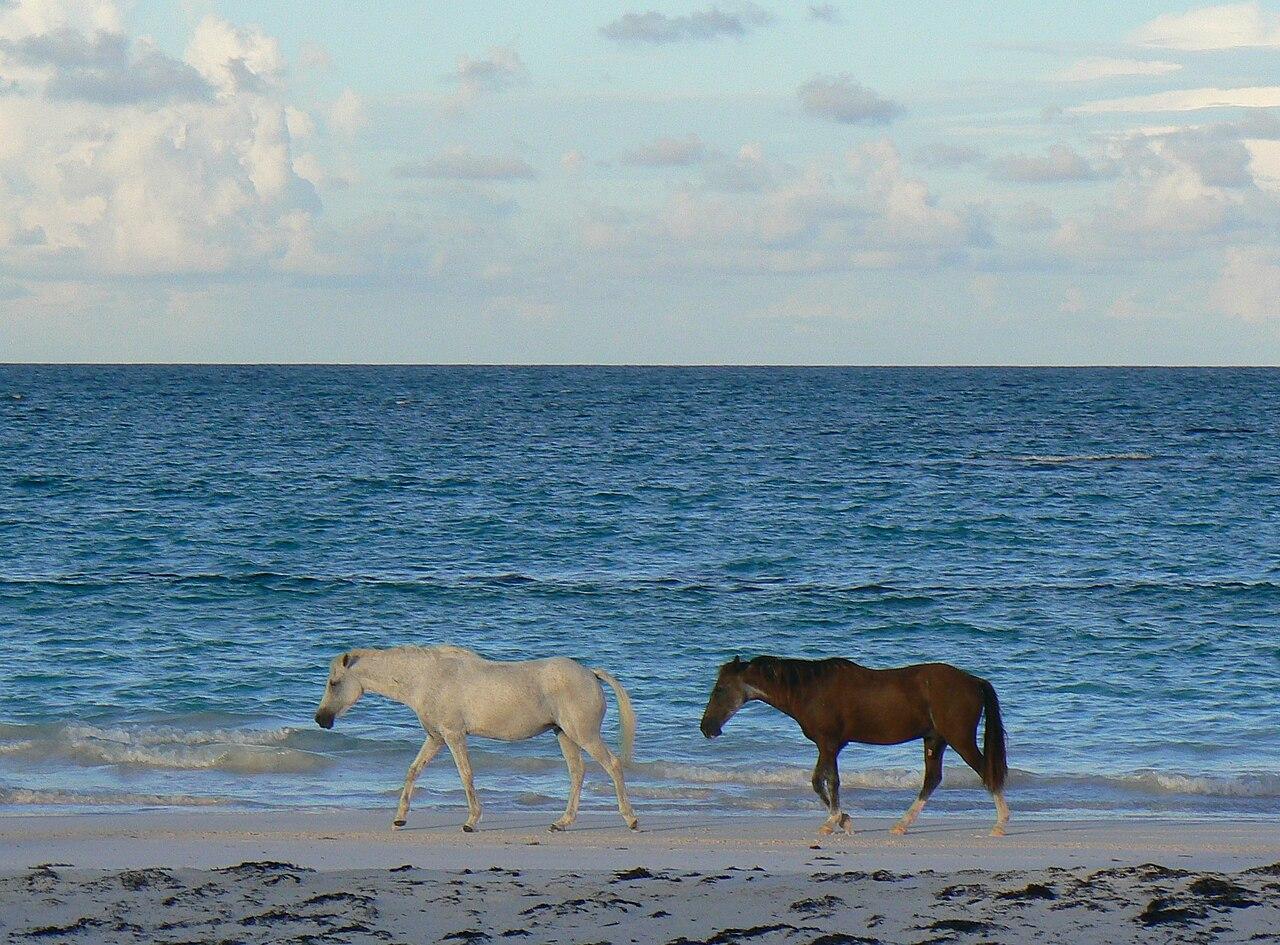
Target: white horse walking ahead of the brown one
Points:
x,y
456,693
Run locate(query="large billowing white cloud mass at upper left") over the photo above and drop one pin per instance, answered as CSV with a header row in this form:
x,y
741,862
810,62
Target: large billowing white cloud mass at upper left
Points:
x,y
117,159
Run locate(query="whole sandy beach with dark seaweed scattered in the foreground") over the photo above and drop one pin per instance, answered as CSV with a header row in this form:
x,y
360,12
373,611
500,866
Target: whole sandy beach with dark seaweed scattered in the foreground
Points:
x,y
344,876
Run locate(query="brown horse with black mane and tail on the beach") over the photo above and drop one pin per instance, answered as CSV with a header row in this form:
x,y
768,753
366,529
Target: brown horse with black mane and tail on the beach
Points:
x,y
838,702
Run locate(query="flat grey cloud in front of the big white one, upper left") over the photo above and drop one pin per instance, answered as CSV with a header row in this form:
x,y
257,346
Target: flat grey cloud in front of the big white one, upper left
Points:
x,y
103,69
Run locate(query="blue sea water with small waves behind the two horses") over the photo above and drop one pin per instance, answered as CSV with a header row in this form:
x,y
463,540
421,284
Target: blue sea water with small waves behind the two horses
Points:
x,y
182,550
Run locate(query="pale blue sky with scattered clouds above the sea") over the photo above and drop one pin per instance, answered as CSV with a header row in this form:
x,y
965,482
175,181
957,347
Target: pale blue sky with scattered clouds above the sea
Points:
x,y
641,182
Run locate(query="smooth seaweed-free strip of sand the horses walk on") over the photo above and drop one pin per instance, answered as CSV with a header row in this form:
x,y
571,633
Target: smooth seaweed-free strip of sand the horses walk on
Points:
x,y
342,839
